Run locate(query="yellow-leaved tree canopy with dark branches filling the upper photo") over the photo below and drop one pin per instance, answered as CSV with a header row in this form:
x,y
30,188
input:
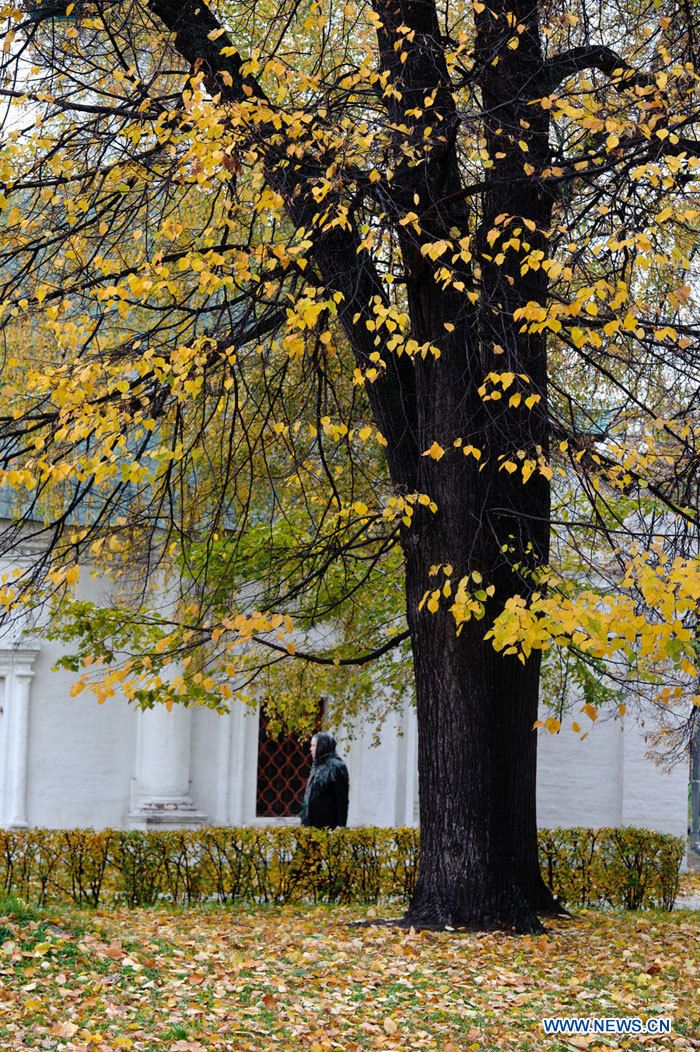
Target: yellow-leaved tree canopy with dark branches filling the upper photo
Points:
x,y
335,329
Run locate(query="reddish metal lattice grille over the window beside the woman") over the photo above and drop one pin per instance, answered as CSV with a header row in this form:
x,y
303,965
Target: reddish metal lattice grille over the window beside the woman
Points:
x,y
284,767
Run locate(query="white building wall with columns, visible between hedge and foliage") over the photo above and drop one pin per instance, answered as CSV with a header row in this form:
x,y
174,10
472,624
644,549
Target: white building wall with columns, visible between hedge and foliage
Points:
x,y
69,762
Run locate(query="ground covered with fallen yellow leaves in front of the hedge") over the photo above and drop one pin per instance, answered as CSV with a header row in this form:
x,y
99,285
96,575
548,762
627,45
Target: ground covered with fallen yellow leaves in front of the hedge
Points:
x,y
289,979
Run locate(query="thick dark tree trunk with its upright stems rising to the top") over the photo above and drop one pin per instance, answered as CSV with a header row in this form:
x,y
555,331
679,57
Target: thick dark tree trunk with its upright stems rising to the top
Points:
x,y
476,710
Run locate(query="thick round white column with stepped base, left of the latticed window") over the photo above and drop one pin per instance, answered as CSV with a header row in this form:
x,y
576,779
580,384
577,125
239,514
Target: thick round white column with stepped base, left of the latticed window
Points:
x,y
162,791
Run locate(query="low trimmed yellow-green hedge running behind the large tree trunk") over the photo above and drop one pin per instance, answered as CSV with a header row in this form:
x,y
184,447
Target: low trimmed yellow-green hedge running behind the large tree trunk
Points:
x,y
621,868
